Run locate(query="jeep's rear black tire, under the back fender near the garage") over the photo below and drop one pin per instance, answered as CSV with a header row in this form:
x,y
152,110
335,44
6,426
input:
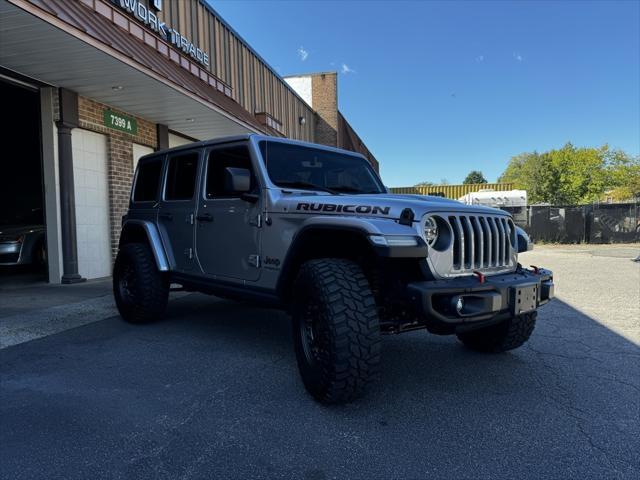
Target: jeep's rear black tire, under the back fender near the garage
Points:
x,y
141,291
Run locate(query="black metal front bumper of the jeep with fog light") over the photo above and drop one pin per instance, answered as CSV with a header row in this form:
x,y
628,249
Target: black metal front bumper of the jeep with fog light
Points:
x,y
478,299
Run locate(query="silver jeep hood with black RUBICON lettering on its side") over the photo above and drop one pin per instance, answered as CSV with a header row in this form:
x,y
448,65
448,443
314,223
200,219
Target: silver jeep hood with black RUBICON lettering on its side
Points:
x,y
384,205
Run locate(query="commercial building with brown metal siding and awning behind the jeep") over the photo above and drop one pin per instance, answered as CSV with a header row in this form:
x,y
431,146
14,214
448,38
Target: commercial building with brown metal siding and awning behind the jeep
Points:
x,y
96,84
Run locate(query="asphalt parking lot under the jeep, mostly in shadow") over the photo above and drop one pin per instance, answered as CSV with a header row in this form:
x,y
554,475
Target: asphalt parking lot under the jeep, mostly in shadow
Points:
x,y
213,392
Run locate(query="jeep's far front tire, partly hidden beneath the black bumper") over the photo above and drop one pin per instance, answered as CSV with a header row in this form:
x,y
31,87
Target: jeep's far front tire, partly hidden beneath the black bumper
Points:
x,y
506,335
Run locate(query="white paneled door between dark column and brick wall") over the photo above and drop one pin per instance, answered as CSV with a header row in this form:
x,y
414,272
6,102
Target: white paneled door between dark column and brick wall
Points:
x,y
90,160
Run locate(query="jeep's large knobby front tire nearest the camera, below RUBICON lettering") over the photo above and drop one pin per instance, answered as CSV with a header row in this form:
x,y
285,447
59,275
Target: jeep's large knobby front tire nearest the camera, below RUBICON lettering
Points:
x,y
336,330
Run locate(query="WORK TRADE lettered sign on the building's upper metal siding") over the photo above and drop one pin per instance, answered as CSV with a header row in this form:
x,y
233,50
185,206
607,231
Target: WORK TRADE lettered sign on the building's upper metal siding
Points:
x,y
144,14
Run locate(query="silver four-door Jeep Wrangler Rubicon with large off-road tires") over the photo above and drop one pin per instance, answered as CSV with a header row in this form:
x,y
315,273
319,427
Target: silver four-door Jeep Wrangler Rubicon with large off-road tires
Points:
x,y
313,230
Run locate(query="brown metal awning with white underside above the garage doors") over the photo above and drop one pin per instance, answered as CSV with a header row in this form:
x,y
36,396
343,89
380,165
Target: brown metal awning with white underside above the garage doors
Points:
x,y
40,45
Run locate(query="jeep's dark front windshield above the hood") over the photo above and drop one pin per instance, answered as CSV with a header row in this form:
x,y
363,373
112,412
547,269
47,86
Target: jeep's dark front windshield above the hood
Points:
x,y
307,168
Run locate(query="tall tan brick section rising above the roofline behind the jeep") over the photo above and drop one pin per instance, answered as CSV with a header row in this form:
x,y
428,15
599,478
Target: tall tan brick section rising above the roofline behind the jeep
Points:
x,y
324,88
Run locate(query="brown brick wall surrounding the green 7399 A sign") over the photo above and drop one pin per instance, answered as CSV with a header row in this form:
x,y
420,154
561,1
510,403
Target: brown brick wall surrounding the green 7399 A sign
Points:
x,y
120,169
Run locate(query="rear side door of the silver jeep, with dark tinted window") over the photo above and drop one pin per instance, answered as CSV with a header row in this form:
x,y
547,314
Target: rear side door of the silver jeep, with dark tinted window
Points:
x,y
176,216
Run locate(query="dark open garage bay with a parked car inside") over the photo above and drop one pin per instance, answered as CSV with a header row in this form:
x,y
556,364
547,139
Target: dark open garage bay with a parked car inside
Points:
x,y
23,257
